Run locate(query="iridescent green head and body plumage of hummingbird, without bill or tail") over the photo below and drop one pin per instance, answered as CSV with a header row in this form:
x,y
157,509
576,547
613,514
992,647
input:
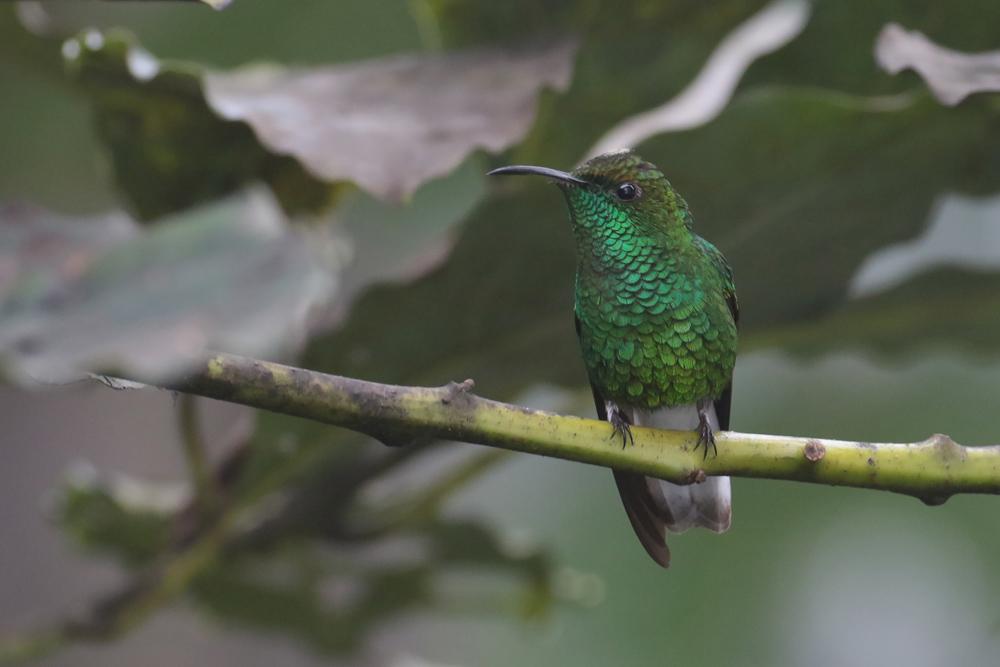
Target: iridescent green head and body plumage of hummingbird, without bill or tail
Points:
x,y
655,301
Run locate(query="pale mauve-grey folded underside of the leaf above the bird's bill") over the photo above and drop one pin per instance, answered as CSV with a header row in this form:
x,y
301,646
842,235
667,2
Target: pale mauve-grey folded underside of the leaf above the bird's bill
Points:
x,y
393,124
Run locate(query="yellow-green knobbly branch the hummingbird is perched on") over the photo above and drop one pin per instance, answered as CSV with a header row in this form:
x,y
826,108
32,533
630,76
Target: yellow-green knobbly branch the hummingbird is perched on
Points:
x,y
932,470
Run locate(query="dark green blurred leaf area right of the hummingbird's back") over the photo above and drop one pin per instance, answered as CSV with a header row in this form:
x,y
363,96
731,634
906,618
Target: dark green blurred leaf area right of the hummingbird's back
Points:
x,y
798,188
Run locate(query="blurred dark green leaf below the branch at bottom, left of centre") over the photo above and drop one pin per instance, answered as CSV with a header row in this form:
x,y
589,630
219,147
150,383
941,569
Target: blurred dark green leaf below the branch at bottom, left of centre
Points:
x,y
335,598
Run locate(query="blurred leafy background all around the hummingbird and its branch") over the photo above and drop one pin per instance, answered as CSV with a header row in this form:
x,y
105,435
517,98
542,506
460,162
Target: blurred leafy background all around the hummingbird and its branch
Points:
x,y
177,179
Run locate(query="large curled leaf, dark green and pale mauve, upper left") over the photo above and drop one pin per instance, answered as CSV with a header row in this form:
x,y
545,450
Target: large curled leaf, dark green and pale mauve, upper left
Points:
x,y
388,126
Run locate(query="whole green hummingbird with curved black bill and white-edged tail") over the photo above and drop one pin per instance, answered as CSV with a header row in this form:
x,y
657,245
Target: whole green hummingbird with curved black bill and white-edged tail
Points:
x,y
657,317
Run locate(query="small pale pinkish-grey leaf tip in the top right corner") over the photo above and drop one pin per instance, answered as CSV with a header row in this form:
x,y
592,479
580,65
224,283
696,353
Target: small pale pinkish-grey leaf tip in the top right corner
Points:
x,y
952,75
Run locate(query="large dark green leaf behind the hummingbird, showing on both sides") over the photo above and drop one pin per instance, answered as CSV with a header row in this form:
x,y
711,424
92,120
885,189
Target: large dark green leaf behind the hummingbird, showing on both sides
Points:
x,y
797,186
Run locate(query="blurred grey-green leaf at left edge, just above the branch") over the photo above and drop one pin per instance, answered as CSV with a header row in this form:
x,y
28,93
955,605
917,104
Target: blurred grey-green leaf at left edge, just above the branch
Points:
x,y
229,276
